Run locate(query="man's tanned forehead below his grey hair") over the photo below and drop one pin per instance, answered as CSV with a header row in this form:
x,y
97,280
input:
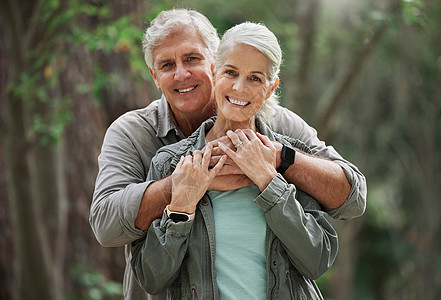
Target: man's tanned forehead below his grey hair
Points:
x,y
180,43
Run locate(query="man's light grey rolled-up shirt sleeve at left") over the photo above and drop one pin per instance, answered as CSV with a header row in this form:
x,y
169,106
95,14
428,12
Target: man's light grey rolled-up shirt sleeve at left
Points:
x,y
121,182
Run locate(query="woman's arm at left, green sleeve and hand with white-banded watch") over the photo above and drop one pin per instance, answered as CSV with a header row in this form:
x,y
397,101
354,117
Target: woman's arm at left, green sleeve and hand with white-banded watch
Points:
x,y
157,259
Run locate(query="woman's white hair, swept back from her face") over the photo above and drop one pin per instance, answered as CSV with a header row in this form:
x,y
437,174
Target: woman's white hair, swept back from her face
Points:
x,y
261,38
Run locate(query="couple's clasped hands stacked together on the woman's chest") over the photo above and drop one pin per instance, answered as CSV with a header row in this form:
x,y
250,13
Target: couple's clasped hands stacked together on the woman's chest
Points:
x,y
253,162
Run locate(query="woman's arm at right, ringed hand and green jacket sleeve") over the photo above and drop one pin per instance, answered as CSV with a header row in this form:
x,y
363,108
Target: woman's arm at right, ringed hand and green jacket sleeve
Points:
x,y
293,216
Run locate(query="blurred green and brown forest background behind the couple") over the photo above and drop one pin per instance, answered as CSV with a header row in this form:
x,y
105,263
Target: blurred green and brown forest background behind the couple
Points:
x,y
366,74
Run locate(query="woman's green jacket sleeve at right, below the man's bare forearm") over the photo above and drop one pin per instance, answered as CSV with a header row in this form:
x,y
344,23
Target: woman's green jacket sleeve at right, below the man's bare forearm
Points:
x,y
304,230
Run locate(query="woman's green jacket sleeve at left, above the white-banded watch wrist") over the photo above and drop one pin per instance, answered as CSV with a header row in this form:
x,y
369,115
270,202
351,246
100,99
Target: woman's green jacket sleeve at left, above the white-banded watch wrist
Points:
x,y
157,258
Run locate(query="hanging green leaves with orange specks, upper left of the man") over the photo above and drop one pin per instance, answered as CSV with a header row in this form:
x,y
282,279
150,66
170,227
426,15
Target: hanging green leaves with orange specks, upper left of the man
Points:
x,y
66,25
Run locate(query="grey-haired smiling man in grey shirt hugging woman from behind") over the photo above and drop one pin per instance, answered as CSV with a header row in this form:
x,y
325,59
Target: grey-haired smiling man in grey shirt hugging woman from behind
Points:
x,y
180,48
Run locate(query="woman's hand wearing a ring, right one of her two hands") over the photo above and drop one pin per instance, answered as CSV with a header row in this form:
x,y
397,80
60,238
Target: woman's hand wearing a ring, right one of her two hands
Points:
x,y
255,155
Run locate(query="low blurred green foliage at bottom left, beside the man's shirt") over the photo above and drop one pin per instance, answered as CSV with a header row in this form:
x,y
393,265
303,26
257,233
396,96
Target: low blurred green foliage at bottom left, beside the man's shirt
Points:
x,y
96,286
